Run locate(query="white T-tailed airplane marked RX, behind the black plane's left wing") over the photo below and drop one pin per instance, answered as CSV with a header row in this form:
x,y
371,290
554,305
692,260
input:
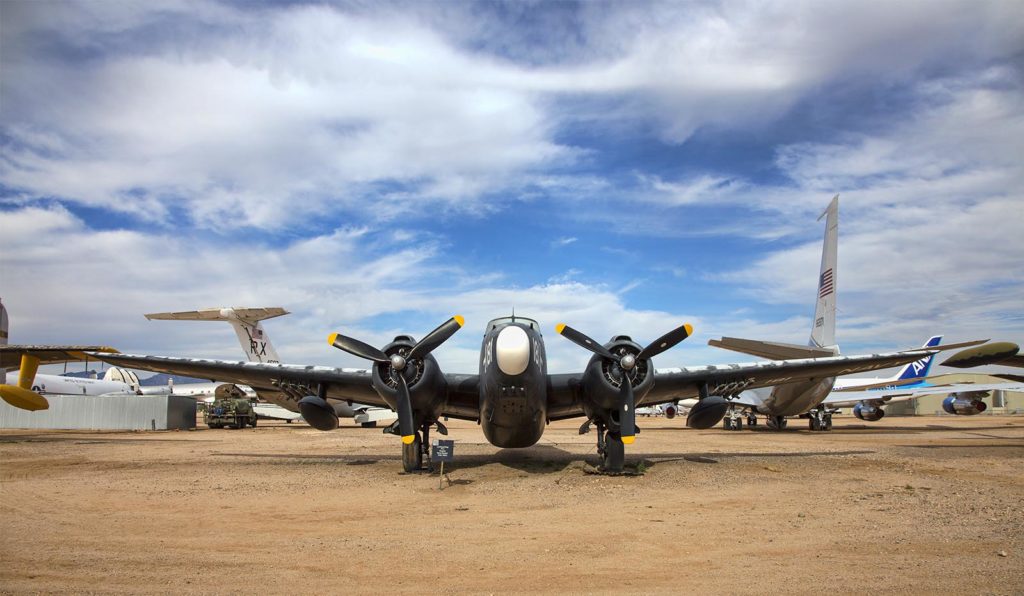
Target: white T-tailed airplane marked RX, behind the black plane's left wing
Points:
x,y
257,345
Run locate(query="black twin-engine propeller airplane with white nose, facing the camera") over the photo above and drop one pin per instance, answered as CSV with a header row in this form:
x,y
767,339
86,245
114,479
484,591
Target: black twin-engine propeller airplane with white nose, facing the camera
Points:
x,y
513,397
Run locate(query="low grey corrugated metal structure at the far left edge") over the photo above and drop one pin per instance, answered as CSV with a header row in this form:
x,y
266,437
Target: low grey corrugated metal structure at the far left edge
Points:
x,y
106,413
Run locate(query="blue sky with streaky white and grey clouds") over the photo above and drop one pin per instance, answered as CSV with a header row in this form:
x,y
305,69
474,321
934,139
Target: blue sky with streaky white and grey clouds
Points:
x,y
623,167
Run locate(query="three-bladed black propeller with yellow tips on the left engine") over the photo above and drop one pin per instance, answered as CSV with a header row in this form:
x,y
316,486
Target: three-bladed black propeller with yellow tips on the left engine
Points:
x,y
399,364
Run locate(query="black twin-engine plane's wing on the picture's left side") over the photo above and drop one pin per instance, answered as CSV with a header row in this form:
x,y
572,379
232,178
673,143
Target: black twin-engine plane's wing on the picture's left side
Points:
x,y
300,380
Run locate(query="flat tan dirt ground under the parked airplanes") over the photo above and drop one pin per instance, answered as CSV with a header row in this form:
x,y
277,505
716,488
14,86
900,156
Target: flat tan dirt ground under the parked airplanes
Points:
x,y
912,505
